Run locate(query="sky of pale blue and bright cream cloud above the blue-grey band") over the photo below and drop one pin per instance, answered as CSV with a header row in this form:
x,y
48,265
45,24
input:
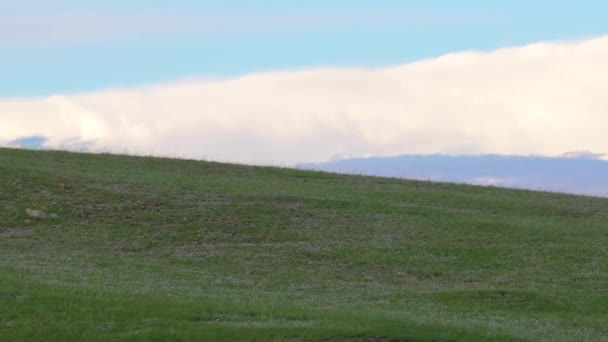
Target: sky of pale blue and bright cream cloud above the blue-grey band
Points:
x,y
287,82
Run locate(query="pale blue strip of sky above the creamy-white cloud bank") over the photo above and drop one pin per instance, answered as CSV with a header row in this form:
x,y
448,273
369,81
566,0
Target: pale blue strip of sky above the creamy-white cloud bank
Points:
x,y
131,43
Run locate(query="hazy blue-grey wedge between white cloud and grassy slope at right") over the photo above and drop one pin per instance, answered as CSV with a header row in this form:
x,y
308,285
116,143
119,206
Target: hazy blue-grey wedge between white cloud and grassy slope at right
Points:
x,y
578,174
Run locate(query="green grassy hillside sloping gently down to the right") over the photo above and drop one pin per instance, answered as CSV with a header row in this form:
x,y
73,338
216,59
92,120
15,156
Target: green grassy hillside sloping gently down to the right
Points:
x,y
160,249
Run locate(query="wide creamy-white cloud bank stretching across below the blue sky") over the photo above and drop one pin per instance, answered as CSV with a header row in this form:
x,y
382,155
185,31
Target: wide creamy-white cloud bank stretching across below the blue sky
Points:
x,y
542,99
